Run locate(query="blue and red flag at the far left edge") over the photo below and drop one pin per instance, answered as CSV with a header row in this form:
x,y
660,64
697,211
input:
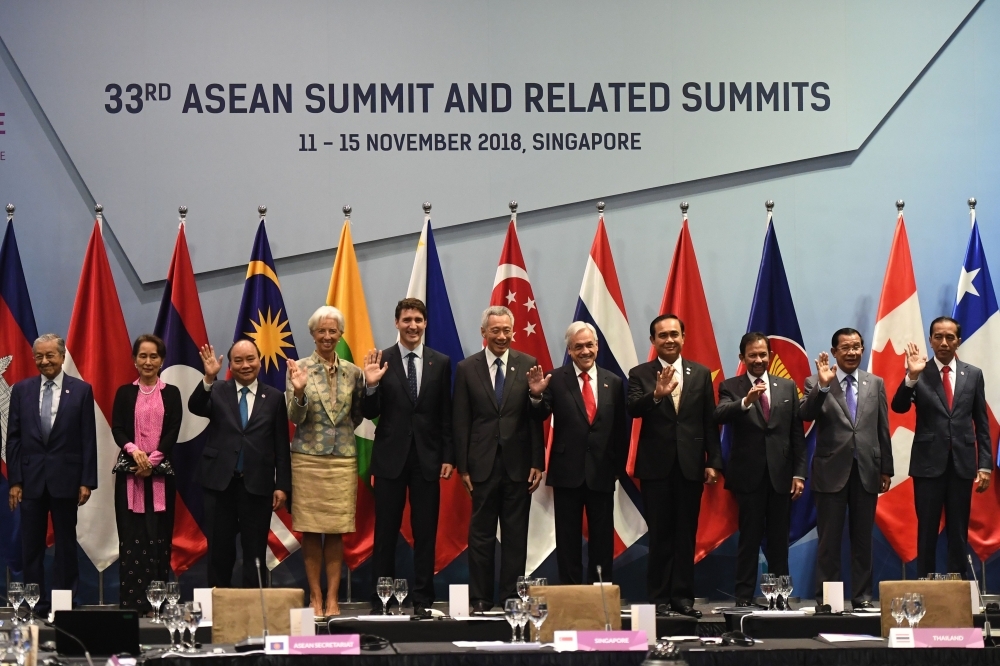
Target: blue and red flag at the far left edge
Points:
x,y
17,334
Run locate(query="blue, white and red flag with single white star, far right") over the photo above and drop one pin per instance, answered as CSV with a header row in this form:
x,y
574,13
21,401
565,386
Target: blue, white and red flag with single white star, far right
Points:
x,y
977,312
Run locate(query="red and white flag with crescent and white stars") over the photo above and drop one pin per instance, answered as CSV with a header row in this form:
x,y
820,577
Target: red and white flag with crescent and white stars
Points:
x,y
512,288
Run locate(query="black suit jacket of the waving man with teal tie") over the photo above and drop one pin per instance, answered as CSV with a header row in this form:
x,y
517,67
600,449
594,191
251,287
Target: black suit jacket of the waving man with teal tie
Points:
x,y
267,464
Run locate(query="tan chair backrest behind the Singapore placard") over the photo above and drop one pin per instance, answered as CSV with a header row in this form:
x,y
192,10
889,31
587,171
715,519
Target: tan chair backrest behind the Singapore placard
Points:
x,y
578,607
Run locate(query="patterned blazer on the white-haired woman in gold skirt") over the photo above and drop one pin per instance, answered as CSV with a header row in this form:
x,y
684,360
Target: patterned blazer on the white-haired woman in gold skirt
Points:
x,y
326,422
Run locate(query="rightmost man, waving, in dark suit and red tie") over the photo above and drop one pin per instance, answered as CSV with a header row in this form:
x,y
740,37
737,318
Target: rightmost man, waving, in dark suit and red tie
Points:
x,y
951,445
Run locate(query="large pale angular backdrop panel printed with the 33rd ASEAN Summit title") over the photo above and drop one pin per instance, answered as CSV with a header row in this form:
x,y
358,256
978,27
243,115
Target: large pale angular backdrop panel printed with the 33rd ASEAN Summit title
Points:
x,y
308,106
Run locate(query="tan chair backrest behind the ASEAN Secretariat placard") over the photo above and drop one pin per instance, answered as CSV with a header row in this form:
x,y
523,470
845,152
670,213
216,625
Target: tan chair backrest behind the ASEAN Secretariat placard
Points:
x,y
236,614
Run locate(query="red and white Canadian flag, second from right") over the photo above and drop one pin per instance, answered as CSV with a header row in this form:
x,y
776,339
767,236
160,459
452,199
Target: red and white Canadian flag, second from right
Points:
x,y
898,322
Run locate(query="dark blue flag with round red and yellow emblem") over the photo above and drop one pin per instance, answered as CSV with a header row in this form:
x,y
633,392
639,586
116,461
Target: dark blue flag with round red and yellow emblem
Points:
x,y
773,314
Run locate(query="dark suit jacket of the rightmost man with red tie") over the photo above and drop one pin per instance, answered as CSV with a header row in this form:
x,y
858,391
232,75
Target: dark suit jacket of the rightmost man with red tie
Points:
x,y
965,430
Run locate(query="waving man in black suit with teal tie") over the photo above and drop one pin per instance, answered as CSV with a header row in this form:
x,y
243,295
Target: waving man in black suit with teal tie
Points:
x,y
245,468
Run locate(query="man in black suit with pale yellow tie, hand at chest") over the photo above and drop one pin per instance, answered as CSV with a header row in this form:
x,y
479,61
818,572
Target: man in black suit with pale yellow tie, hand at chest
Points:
x,y
678,452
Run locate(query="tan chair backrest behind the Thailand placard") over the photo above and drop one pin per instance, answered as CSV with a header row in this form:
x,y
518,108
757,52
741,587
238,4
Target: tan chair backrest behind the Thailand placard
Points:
x,y
948,602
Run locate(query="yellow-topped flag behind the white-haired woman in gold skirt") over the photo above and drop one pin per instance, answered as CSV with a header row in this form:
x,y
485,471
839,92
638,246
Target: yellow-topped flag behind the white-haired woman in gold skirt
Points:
x,y
347,295
